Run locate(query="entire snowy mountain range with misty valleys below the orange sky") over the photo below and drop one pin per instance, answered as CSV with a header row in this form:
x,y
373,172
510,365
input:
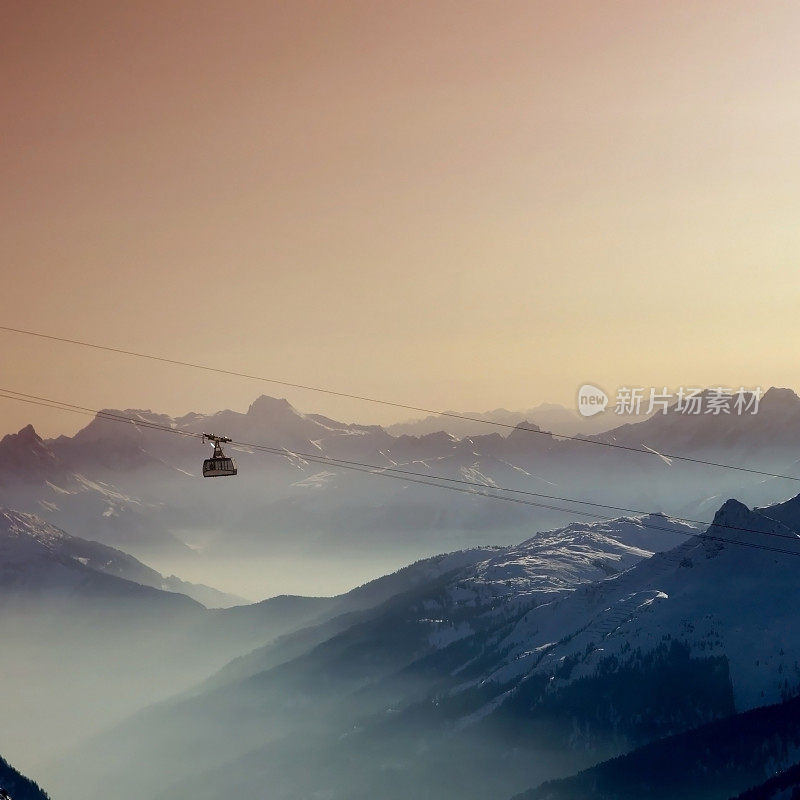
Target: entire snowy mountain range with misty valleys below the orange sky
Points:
x,y
553,658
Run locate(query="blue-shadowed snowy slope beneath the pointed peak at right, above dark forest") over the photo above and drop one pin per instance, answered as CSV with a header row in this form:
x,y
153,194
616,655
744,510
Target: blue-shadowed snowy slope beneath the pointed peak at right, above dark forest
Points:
x,y
719,599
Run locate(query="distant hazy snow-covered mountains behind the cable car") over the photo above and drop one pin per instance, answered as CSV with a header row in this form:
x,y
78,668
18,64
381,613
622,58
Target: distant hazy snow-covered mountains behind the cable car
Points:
x,y
137,489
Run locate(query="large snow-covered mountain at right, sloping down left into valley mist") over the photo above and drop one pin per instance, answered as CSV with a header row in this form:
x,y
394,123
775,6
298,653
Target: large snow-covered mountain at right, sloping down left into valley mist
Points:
x,y
545,658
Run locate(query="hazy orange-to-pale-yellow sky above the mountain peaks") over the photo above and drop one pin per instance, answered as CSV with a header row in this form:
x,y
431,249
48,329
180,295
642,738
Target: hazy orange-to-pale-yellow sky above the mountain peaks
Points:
x,y
457,205
